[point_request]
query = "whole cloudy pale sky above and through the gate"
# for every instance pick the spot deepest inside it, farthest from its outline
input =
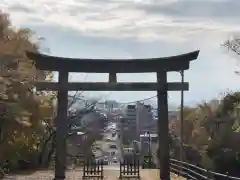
(139, 28)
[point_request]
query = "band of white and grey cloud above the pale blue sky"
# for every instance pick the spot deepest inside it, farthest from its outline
(170, 20)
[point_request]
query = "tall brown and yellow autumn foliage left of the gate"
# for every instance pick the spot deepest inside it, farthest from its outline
(21, 109)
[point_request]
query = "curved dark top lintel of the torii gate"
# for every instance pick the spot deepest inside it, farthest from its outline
(53, 63)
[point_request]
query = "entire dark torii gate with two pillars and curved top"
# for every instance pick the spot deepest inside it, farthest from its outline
(112, 66)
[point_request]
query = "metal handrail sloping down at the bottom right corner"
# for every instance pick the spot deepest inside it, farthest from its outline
(191, 171)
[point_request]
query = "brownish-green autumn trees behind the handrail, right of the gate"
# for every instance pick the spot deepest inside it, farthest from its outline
(211, 136)
